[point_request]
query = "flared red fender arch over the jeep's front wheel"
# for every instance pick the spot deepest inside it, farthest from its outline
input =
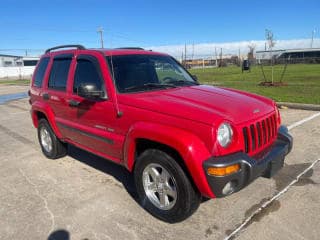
(185, 147)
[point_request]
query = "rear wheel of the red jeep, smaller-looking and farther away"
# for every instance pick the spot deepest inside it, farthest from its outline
(51, 146)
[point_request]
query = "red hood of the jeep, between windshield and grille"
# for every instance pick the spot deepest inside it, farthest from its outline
(202, 103)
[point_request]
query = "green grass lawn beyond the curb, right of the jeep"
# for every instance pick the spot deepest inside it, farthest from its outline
(303, 81)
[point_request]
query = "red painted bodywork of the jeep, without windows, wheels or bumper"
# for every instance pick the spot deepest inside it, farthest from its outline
(184, 118)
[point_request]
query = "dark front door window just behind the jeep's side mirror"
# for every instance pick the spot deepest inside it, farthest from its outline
(87, 73)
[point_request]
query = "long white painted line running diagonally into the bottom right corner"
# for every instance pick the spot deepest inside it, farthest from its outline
(272, 202)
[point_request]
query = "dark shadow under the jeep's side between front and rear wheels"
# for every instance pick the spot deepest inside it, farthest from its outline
(106, 166)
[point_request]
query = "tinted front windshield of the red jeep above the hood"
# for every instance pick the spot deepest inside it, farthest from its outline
(136, 73)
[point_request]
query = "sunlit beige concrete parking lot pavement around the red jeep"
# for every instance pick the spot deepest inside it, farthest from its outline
(86, 197)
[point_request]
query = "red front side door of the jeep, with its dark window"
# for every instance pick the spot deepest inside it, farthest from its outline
(93, 120)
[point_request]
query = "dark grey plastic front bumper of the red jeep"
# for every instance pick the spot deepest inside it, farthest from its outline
(265, 165)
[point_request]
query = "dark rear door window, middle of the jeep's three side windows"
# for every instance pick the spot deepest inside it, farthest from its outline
(59, 73)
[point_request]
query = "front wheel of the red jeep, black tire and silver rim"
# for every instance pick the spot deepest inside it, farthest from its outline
(163, 187)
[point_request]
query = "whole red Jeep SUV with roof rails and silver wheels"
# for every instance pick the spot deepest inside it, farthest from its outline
(143, 110)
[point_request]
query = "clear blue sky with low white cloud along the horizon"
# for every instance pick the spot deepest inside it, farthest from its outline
(165, 25)
